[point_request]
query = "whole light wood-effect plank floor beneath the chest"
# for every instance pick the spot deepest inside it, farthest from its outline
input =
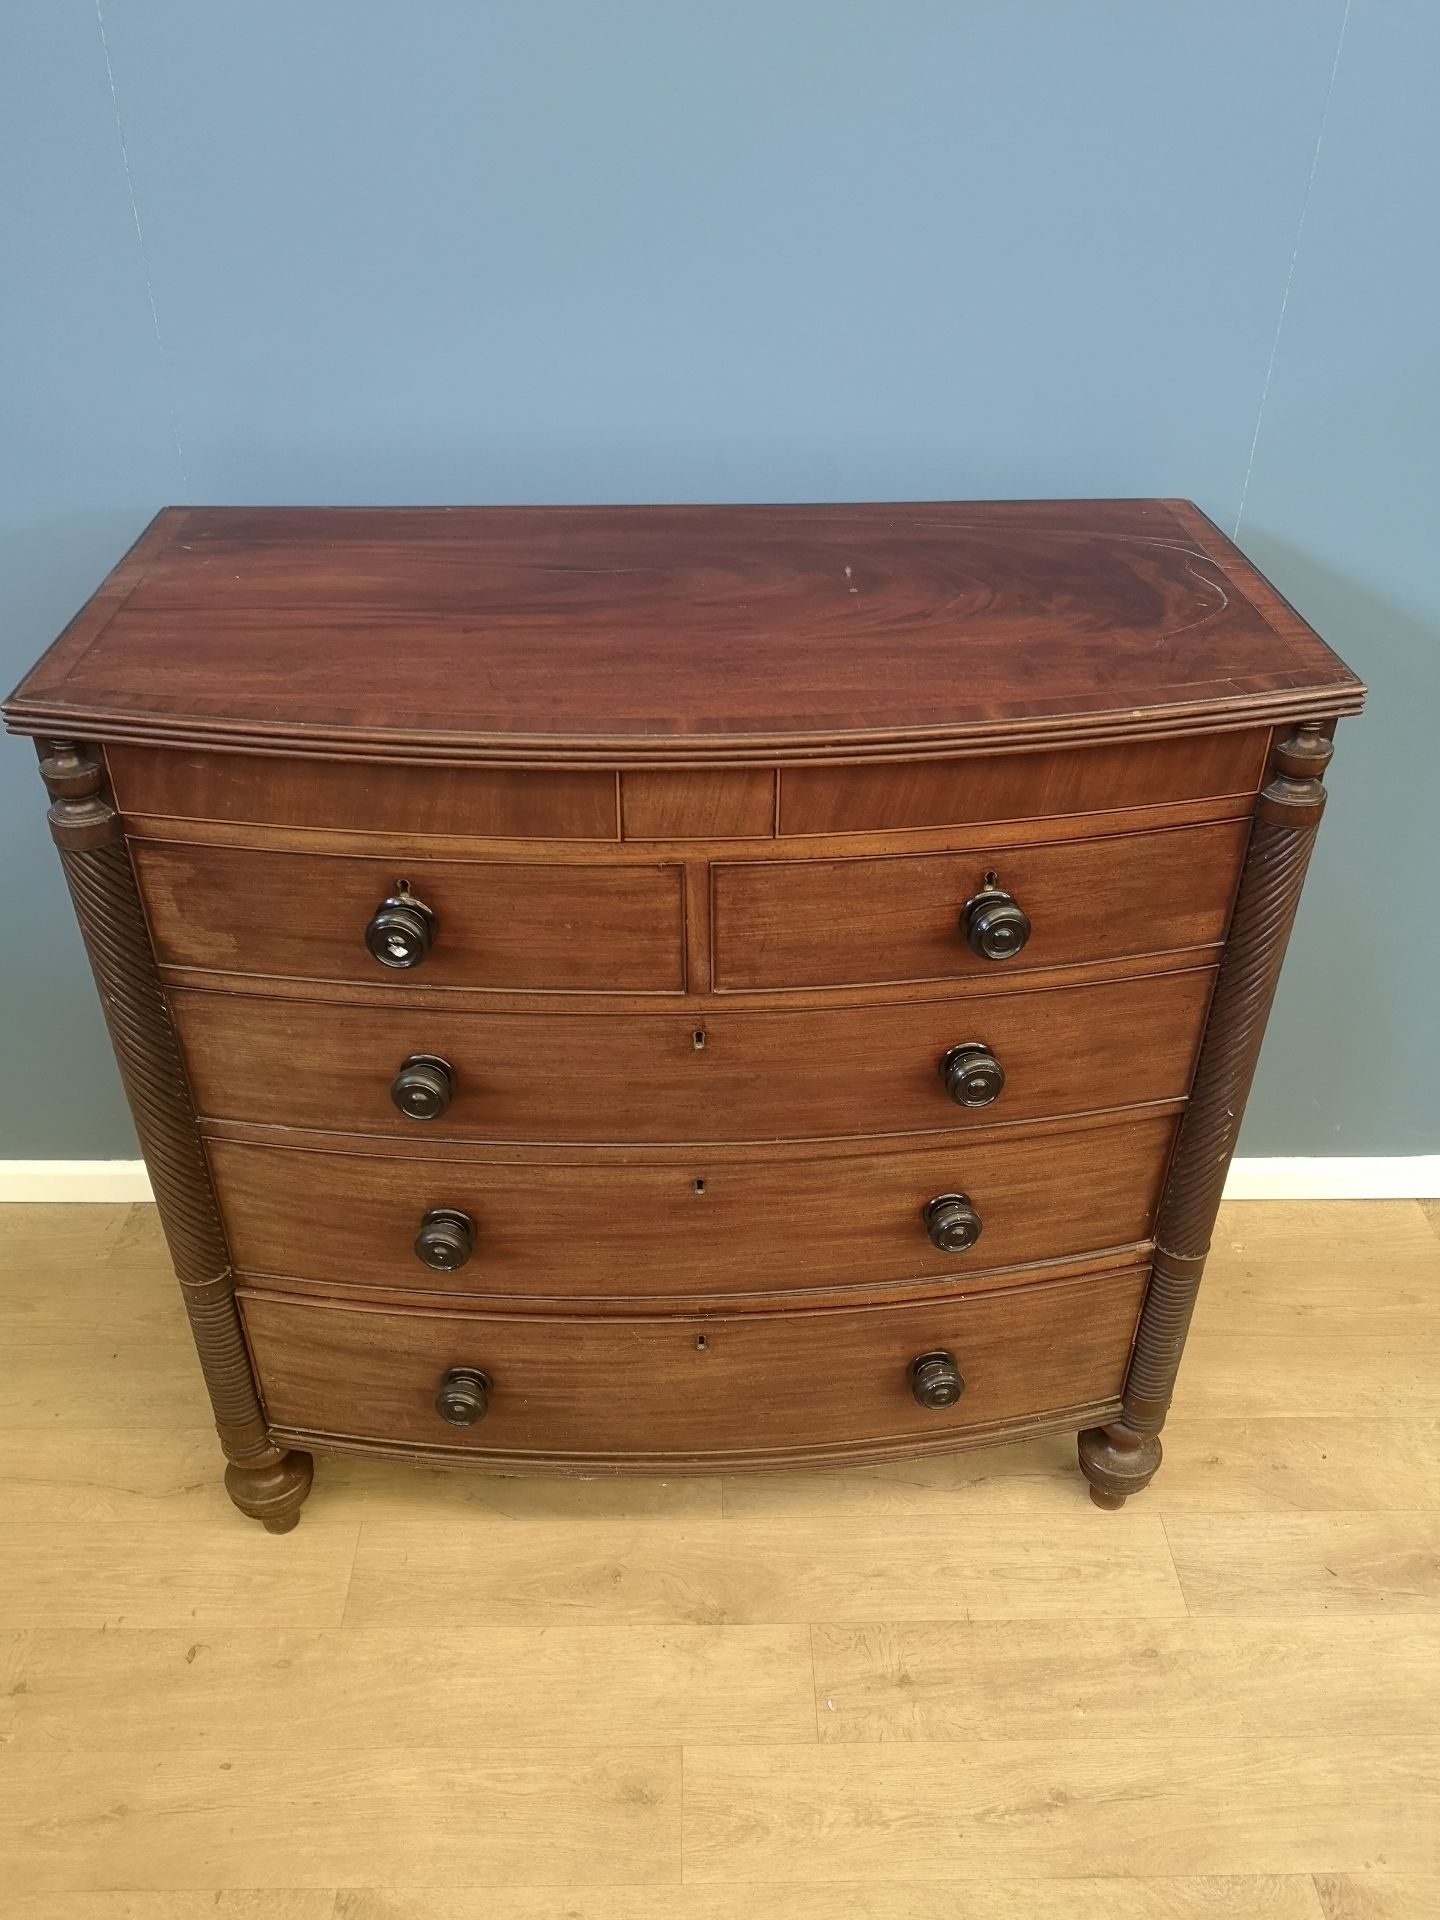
(946, 1691)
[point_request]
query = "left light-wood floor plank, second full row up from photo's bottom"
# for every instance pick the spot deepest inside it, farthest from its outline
(356, 1689)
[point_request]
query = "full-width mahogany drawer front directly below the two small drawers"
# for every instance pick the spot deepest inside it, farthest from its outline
(756, 1076)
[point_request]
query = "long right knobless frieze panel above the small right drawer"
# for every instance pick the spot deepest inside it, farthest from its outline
(1019, 786)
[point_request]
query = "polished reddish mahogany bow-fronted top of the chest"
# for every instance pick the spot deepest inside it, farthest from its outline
(679, 635)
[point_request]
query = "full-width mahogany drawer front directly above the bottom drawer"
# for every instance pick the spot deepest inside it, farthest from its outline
(744, 1226)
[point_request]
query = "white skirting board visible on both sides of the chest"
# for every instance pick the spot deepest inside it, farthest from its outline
(1380, 1178)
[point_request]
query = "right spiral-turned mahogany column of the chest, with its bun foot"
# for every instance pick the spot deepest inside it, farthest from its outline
(1122, 1458)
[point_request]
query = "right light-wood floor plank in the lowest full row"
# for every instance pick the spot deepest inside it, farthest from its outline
(1061, 1810)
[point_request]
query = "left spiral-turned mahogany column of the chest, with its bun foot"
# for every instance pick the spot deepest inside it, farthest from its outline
(266, 1483)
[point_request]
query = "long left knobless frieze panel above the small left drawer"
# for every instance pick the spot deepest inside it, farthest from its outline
(254, 790)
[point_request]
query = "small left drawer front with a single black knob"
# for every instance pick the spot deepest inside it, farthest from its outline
(498, 924)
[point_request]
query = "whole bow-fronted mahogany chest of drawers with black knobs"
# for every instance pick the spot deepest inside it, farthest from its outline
(650, 990)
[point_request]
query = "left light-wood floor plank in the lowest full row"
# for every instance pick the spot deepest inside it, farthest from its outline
(444, 1815)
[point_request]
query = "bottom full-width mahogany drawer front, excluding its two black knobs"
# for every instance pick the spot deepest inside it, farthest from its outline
(587, 1391)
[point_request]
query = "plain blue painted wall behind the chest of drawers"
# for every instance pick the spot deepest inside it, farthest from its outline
(525, 251)
